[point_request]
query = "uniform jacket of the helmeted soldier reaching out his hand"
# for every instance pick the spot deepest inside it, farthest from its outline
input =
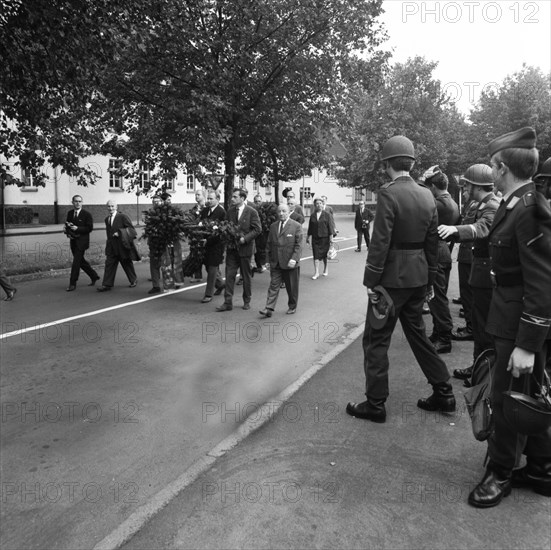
(475, 235)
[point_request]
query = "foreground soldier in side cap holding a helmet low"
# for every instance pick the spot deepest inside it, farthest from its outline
(519, 317)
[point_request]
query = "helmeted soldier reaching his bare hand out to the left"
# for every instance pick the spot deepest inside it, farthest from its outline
(480, 184)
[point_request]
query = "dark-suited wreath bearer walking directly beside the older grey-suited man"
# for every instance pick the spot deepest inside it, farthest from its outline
(238, 255)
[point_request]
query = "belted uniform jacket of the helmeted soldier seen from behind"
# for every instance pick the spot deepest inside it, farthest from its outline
(404, 244)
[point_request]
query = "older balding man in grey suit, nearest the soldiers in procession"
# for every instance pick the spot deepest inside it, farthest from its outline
(284, 249)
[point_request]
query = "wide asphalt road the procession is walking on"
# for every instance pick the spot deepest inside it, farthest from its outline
(107, 398)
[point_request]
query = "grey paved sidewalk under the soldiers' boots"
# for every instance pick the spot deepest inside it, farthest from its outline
(313, 477)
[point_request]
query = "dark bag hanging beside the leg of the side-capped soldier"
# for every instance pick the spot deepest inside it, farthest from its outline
(477, 398)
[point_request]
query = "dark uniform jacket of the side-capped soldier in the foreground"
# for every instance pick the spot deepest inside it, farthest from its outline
(520, 253)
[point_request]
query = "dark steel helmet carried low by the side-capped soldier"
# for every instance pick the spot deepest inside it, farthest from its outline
(528, 415)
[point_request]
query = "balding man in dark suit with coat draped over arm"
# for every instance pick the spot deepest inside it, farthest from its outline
(120, 247)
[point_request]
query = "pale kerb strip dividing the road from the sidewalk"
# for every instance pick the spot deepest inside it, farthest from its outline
(137, 520)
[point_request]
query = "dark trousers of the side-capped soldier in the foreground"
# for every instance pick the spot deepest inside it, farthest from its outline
(505, 445)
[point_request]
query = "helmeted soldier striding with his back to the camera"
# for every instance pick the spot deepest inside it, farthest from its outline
(402, 259)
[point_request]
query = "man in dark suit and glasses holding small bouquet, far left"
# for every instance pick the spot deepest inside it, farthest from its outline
(78, 227)
